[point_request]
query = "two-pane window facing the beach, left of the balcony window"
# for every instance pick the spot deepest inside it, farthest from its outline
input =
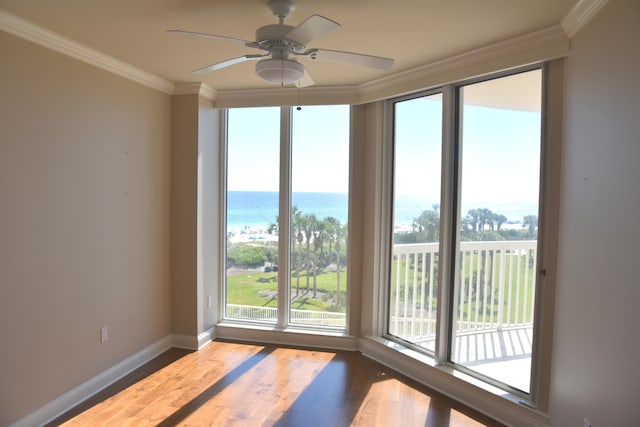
(287, 210)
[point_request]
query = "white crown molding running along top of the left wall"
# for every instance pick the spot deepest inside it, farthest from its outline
(19, 27)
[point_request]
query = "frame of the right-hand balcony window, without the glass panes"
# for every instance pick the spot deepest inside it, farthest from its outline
(450, 235)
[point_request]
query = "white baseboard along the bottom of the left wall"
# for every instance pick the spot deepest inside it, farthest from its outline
(62, 404)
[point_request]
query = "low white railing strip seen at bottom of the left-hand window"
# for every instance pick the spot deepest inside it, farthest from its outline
(270, 314)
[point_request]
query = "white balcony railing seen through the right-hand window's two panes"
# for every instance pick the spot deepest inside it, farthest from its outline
(494, 288)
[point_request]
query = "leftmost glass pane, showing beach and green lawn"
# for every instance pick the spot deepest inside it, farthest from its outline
(253, 183)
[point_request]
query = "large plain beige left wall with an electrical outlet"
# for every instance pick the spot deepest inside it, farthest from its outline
(84, 223)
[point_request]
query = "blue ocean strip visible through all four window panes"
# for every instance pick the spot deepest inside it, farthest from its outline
(255, 210)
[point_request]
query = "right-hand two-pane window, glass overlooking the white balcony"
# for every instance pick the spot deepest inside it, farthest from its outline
(473, 308)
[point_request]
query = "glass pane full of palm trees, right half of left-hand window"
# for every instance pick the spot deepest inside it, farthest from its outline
(319, 213)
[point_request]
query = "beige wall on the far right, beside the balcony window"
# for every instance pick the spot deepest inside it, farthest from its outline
(596, 372)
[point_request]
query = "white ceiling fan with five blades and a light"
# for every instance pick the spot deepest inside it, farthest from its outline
(283, 43)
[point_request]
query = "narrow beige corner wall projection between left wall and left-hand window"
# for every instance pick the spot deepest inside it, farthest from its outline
(195, 151)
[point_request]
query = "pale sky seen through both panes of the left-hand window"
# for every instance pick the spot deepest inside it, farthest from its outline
(320, 153)
